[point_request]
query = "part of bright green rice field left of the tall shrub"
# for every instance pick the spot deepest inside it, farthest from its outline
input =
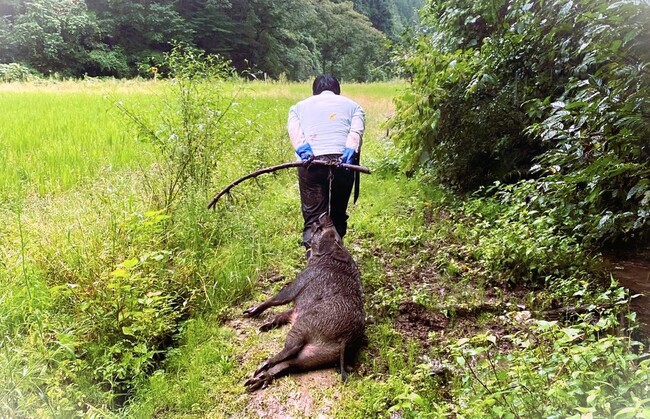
(56, 137)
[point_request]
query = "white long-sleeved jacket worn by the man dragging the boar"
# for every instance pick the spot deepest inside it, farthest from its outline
(328, 122)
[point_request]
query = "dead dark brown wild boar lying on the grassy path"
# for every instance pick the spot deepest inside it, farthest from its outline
(327, 317)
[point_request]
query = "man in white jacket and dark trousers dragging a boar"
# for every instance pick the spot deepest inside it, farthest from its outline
(330, 127)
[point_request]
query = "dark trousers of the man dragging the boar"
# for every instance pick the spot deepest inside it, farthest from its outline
(315, 195)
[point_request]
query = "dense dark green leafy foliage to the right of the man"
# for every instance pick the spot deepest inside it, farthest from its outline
(556, 91)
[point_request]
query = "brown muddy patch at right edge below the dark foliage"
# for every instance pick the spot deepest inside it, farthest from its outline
(633, 272)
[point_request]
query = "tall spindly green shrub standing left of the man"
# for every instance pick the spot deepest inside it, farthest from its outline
(188, 128)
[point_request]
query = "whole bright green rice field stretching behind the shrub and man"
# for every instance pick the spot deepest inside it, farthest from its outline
(54, 136)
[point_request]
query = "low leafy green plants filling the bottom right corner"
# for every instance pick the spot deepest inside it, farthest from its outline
(571, 369)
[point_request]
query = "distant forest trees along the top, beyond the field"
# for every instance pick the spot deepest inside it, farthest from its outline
(266, 38)
